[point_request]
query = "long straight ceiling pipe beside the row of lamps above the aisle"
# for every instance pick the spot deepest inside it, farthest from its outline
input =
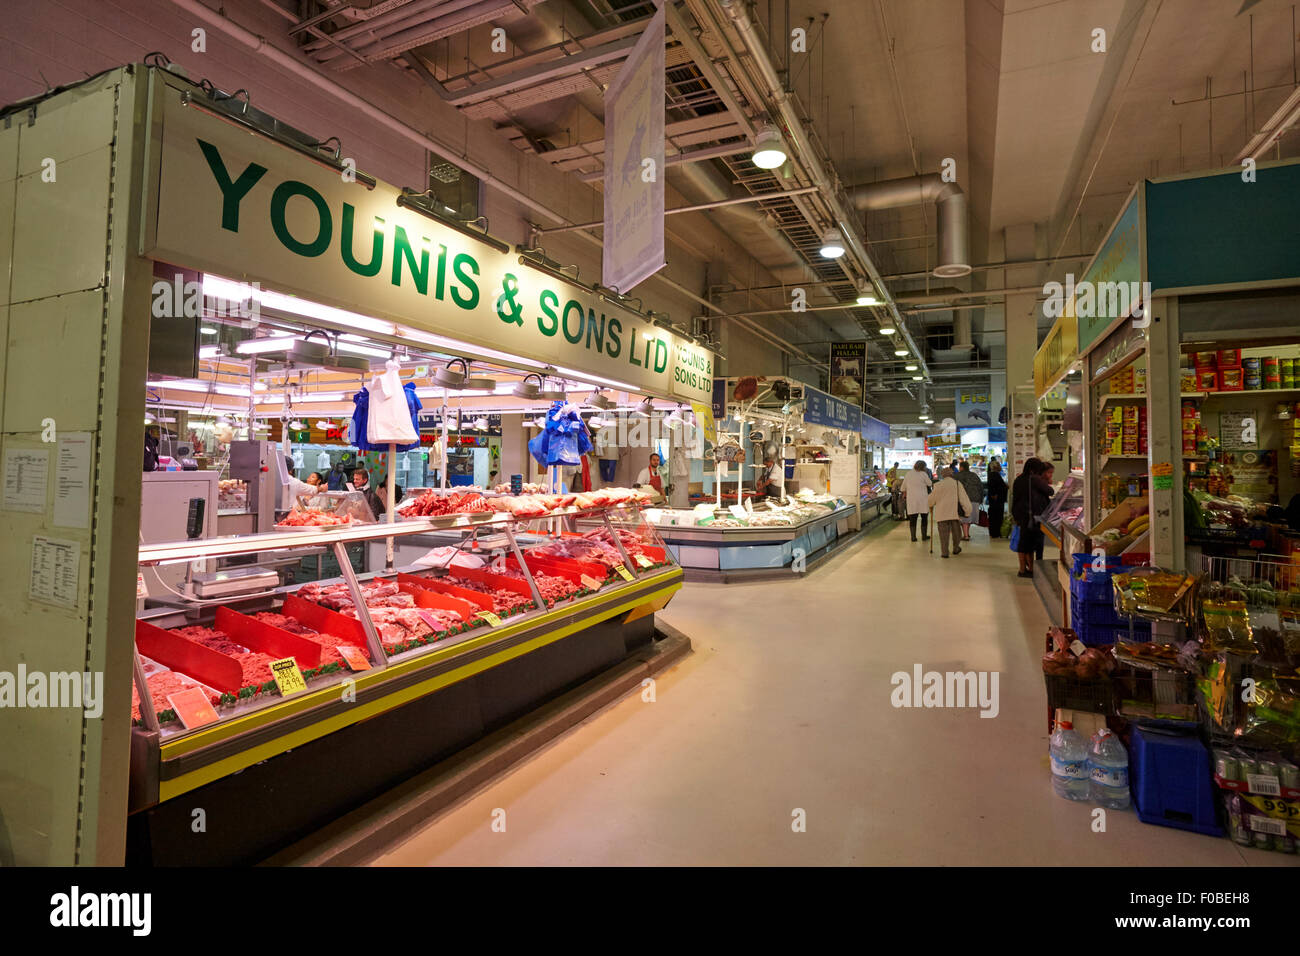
(796, 136)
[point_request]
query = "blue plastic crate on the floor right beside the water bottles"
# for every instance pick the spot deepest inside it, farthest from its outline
(1172, 781)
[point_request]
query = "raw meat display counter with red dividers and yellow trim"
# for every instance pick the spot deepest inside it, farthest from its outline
(287, 707)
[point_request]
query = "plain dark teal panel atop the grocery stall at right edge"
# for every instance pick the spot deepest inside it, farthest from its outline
(1221, 231)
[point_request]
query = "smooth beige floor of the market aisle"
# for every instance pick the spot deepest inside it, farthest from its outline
(785, 704)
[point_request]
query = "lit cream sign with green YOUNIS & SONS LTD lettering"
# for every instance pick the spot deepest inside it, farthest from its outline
(249, 209)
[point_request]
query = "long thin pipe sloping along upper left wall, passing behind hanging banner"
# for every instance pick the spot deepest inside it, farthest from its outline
(263, 47)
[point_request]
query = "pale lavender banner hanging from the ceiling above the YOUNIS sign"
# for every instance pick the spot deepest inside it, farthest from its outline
(634, 166)
